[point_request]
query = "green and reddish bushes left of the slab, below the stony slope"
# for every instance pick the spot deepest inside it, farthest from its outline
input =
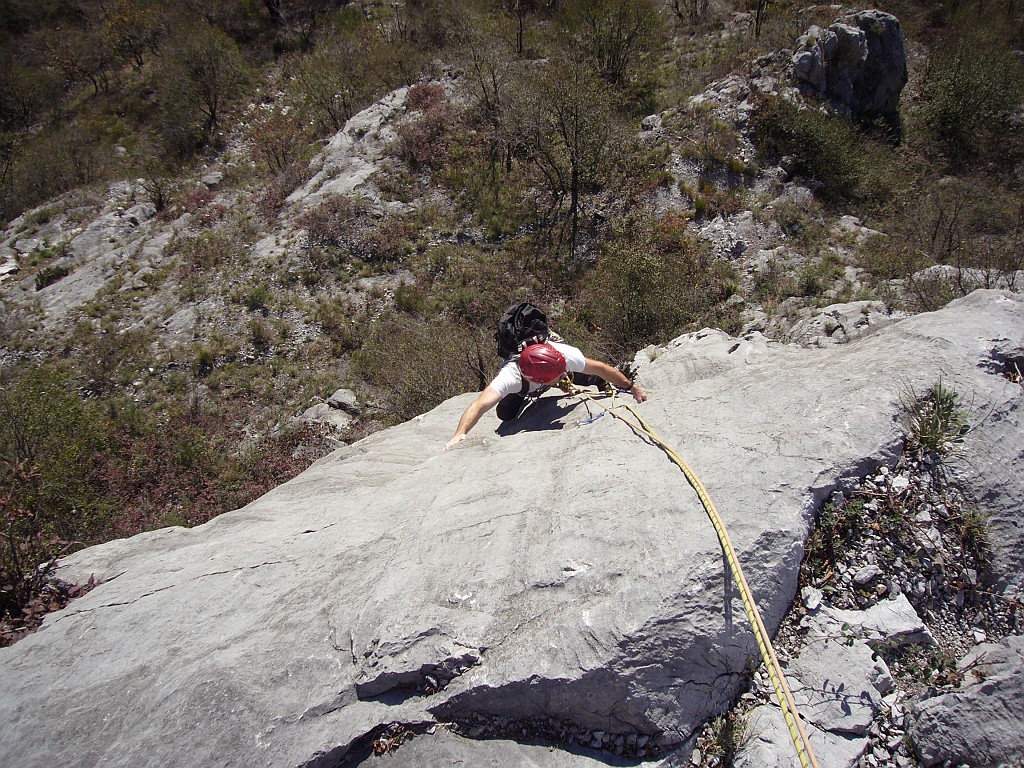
(76, 473)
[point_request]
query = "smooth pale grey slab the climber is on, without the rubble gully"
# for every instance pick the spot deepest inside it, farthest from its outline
(557, 577)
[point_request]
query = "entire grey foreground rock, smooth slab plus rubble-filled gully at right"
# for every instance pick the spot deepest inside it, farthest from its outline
(559, 583)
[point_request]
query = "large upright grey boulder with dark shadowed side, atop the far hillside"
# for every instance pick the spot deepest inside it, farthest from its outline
(859, 64)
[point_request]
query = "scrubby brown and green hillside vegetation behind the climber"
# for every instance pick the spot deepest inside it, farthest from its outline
(519, 172)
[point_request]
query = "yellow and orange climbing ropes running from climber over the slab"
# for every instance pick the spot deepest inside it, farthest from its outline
(783, 693)
